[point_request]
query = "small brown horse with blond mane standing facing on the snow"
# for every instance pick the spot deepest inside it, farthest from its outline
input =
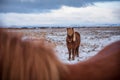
(73, 43)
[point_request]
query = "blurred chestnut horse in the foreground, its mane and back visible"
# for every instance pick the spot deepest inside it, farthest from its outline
(31, 60)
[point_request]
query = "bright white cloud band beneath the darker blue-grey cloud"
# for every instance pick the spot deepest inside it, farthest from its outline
(99, 13)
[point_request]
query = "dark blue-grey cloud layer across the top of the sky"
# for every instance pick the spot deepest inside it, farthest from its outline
(29, 6)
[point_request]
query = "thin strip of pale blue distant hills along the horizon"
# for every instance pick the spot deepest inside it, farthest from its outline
(62, 26)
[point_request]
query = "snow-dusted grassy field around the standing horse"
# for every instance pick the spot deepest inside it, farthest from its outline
(92, 40)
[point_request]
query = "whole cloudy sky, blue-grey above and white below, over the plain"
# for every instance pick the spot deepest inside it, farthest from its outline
(59, 12)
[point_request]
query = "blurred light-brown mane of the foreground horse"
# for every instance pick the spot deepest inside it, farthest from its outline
(27, 60)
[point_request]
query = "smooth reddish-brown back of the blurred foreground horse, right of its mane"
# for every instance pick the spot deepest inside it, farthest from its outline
(104, 66)
